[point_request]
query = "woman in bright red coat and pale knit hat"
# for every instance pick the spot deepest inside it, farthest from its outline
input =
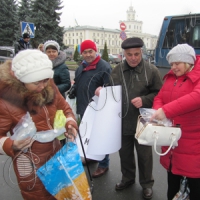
(179, 100)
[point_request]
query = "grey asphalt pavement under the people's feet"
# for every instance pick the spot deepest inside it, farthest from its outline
(103, 186)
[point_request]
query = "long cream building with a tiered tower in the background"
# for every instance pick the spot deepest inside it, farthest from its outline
(75, 35)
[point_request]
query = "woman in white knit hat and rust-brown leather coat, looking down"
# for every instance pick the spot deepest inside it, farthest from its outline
(26, 85)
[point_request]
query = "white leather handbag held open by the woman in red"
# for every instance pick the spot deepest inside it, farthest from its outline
(153, 134)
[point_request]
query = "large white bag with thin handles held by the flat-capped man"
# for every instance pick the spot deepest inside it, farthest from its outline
(100, 127)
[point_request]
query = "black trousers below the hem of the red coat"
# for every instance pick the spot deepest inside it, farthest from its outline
(174, 186)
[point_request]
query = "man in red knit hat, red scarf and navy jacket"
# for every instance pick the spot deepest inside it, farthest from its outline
(92, 73)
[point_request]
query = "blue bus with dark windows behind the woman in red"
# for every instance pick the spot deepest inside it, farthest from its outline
(177, 30)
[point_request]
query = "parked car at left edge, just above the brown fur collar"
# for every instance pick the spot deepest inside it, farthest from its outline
(6, 53)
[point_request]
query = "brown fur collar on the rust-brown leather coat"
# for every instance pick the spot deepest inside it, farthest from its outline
(14, 91)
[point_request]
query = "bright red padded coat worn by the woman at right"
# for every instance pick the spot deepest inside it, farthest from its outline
(180, 100)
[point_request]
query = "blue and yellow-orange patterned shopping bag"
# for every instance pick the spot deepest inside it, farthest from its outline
(63, 175)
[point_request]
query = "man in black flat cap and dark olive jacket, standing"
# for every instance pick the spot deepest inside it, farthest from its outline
(140, 82)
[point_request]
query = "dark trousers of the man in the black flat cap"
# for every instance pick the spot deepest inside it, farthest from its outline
(145, 161)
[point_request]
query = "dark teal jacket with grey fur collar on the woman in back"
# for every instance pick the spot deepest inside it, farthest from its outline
(61, 73)
